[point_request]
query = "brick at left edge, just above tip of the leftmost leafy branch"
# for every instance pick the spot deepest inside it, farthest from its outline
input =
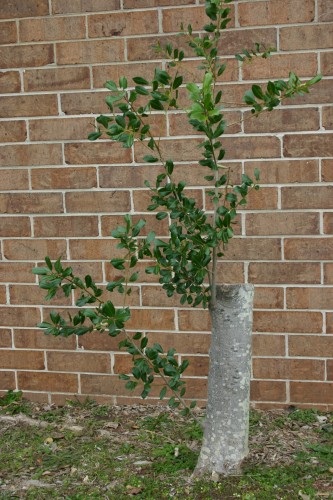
(33, 249)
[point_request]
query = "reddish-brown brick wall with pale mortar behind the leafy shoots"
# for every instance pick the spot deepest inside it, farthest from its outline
(61, 195)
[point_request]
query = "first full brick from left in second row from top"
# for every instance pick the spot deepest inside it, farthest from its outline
(52, 28)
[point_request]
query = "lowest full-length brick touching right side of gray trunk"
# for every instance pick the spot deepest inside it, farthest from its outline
(292, 369)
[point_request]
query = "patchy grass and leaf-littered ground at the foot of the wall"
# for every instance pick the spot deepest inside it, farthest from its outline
(87, 450)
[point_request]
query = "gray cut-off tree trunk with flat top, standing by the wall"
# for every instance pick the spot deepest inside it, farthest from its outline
(225, 442)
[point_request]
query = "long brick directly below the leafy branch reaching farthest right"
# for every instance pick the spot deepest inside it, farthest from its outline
(283, 120)
